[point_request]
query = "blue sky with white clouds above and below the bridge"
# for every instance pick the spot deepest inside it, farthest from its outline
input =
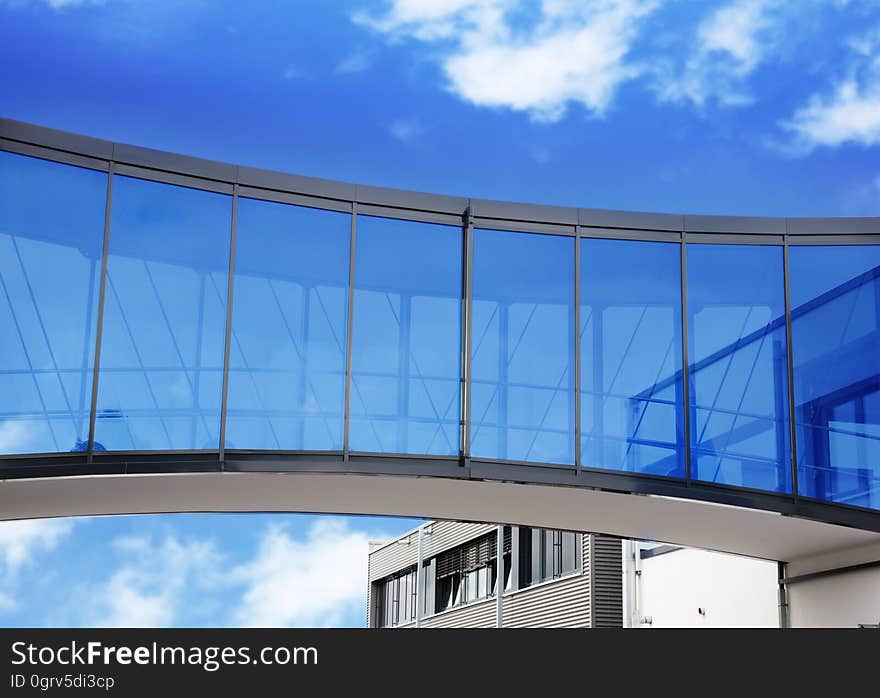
(760, 107)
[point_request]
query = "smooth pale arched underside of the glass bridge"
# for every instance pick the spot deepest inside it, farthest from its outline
(670, 519)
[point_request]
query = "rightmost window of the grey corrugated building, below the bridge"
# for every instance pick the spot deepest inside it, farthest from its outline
(546, 554)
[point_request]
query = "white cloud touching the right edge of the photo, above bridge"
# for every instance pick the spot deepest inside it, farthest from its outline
(848, 113)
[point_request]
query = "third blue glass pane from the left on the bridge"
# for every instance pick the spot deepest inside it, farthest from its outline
(287, 349)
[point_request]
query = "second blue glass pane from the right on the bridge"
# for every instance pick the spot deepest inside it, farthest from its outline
(740, 432)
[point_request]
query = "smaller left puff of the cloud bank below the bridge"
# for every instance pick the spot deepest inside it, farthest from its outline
(149, 588)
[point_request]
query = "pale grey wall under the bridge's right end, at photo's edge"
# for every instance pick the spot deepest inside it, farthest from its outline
(840, 600)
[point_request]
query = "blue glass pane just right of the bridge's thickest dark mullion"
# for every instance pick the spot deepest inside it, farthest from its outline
(522, 394)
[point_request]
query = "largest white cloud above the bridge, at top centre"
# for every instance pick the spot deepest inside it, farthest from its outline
(576, 51)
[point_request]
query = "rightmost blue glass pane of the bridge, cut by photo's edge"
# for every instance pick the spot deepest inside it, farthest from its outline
(835, 327)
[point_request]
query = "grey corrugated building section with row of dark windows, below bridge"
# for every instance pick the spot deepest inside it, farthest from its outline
(551, 578)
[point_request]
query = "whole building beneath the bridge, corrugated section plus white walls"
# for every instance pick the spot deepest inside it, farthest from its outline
(565, 579)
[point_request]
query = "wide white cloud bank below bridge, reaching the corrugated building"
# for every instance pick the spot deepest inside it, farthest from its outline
(316, 580)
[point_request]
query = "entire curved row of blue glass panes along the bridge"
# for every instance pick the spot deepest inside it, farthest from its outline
(137, 305)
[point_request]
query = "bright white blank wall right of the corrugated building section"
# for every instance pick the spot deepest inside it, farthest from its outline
(732, 591)
